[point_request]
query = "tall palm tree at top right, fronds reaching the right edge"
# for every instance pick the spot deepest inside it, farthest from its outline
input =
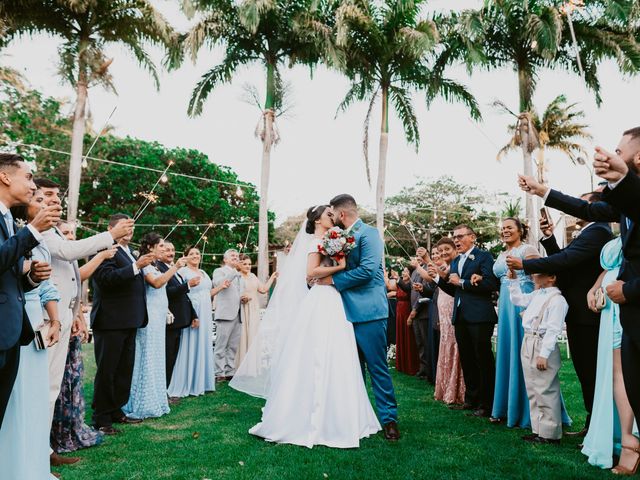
(532, 35)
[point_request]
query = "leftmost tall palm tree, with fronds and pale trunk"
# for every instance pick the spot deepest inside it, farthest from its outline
(87, 28)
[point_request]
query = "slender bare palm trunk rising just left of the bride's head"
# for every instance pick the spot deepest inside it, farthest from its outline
(267, 144)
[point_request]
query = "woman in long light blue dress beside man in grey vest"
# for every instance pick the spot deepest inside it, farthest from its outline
(194, 372)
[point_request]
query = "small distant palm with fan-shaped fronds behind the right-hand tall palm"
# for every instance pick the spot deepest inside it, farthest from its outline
(560, 128)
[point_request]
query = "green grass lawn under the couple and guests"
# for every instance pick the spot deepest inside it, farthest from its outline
(206, 438)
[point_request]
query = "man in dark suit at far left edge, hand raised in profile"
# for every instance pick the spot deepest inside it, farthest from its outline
(17, 188)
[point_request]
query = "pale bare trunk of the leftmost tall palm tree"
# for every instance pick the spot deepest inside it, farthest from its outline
(77, 143)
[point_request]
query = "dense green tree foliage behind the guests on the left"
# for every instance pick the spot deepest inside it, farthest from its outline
(32, 118)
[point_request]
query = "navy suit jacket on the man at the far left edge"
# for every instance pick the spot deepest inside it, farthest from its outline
(14, 323)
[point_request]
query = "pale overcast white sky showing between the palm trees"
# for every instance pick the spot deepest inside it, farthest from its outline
(319, 155)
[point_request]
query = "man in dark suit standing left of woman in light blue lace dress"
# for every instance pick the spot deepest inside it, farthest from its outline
(119, 309)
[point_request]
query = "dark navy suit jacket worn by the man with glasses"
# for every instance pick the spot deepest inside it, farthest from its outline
(473, 302)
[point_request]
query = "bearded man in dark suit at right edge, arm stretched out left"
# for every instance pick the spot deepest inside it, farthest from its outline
(614, 208)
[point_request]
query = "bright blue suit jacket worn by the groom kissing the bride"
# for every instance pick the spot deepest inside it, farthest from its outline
(361, 284)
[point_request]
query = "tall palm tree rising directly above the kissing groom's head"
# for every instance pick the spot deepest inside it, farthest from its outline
(386, 45)
